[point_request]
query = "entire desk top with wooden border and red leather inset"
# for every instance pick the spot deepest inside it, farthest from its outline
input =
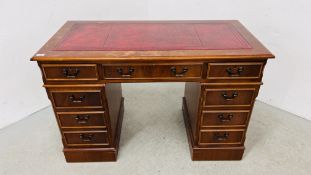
(151, 41)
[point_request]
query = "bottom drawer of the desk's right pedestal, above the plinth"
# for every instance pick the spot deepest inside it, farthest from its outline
(215, 137)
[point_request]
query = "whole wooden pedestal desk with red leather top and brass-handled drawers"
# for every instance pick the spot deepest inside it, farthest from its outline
(85, 62)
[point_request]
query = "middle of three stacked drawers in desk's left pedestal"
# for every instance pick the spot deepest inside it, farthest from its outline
(94, 119)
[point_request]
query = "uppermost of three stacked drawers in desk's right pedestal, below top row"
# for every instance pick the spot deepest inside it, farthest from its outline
(229, 97)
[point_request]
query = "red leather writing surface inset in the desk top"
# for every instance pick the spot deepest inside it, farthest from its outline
(151, 36)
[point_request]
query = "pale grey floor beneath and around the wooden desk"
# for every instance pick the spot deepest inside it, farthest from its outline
(153, 141)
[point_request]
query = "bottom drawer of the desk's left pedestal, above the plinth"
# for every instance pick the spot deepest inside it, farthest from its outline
(80, 138)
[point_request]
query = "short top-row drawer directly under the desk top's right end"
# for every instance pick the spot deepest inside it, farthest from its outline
(234, 70)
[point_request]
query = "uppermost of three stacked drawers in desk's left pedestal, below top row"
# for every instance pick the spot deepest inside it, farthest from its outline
(76, 99)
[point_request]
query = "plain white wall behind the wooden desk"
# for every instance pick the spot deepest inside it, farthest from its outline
(283, 26)
